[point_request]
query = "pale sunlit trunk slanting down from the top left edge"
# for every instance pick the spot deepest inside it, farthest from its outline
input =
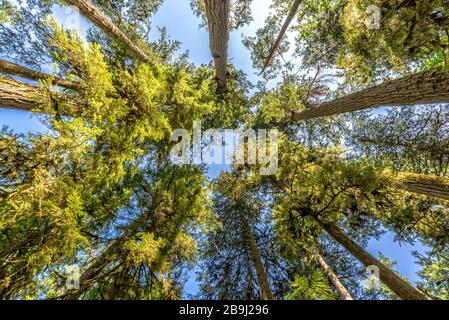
(94, 15)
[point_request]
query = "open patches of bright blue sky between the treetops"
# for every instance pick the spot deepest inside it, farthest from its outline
(182, 25)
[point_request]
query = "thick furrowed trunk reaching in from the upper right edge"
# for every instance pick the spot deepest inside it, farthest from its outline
(422, 88)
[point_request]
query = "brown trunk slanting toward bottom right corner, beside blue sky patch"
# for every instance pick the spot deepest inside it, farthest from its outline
(401, 288)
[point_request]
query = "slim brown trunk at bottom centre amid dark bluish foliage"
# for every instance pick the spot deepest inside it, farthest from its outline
(257, 259)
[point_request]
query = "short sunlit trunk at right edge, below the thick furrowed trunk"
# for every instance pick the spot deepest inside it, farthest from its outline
(428, 185)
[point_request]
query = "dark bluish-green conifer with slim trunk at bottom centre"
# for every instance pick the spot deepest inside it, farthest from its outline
(240, 249)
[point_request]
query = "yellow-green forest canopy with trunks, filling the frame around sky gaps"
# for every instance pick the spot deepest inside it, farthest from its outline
(94, 207)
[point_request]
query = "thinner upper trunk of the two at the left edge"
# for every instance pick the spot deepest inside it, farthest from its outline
(14, 69)
